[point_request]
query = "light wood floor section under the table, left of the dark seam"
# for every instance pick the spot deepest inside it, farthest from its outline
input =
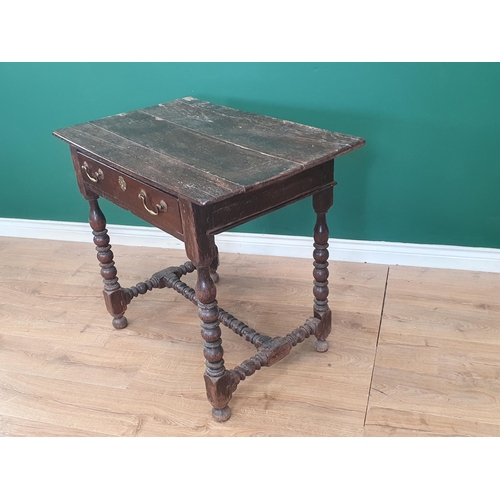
(65, 371)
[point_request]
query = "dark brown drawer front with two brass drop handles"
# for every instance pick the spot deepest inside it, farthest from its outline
(148, 203)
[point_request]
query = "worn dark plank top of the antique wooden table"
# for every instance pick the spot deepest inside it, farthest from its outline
(204, 152)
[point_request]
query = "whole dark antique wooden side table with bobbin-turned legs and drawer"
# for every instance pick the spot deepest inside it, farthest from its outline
(194, 169)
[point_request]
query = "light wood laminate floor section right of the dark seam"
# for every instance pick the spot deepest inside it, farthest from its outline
(437, 364)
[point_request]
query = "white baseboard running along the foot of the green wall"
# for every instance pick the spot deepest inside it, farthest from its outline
(375, 252)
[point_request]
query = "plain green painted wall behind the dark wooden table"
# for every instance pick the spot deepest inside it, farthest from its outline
(429, 173)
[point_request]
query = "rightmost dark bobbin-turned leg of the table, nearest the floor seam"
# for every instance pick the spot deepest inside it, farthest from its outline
(321, 202)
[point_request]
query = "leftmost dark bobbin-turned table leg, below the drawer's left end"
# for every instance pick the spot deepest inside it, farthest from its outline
(113, 295)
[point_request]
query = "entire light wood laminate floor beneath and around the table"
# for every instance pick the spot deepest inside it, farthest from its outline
(413, 351)
